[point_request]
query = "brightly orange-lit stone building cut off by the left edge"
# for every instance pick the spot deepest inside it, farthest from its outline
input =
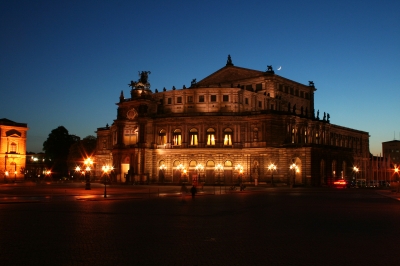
(12, 150)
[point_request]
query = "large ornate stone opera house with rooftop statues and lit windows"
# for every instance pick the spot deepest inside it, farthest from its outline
(241, 119)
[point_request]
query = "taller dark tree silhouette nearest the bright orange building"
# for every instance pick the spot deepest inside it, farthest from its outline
(56, 149)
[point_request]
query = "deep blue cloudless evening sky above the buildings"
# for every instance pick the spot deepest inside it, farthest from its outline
(66, 62)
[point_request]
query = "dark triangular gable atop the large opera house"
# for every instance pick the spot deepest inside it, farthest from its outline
(229, 74)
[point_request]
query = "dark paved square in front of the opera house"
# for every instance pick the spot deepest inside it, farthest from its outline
(272, 226)
